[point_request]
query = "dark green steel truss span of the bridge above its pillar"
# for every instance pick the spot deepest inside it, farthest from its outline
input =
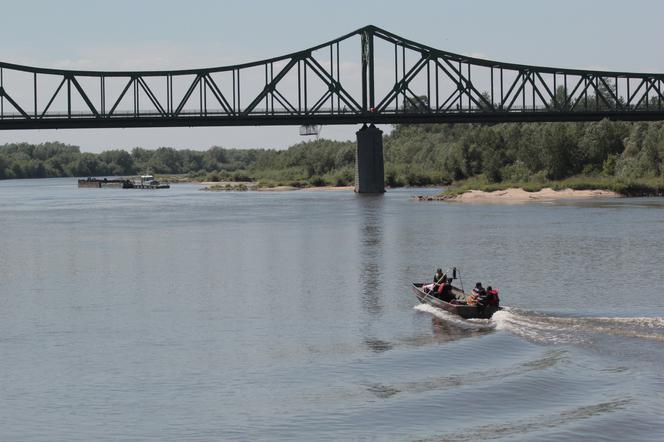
(366, 76)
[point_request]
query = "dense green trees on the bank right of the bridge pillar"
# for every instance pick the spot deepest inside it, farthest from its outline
(525, 152)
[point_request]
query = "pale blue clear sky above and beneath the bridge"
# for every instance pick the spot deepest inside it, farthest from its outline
(165, 34)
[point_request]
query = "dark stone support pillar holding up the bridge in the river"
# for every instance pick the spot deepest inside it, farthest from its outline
(369, 167)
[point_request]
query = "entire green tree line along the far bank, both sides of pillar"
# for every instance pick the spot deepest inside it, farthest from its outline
(414, 155)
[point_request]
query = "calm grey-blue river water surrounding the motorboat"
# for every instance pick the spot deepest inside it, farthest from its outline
(181, 315)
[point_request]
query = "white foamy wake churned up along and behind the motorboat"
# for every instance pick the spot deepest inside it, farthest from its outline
(552, 329)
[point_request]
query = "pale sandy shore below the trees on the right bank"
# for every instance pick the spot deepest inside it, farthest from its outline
(516, 196)
